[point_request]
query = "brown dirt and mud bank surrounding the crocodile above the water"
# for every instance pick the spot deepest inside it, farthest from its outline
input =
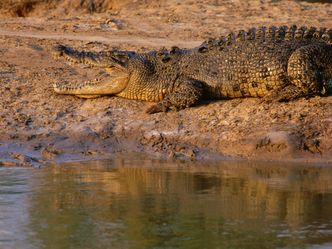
(38, 126)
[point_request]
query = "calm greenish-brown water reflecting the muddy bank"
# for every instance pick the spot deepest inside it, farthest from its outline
(150, 204)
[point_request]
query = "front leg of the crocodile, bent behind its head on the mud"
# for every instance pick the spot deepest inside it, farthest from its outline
(186, 92)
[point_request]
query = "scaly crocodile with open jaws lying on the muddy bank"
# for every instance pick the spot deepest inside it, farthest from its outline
(277, 63)
